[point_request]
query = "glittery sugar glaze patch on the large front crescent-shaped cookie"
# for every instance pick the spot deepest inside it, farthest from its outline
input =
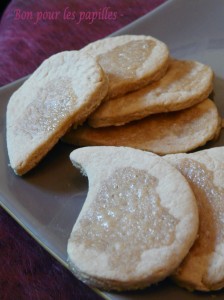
(125, 219)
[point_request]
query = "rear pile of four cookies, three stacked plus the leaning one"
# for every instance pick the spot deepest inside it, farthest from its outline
(120, 91)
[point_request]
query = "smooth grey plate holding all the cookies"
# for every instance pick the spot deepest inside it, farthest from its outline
(47, 201)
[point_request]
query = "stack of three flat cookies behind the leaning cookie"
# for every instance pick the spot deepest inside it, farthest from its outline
(164, 112)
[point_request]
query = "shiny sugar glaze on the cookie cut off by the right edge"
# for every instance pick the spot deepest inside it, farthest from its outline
(210, 203)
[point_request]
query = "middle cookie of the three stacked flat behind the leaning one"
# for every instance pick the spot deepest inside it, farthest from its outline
(186, 83)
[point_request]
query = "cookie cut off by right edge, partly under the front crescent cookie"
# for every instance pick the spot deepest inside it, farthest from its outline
(203, 268)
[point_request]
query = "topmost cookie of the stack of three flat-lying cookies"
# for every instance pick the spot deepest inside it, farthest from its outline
(130, 61)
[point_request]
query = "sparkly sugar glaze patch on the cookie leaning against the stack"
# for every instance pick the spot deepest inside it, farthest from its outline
(45, 114)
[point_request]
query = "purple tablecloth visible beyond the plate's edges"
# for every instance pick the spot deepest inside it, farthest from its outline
(31, 31)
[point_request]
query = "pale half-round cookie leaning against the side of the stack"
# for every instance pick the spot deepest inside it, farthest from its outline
(63, 91)
